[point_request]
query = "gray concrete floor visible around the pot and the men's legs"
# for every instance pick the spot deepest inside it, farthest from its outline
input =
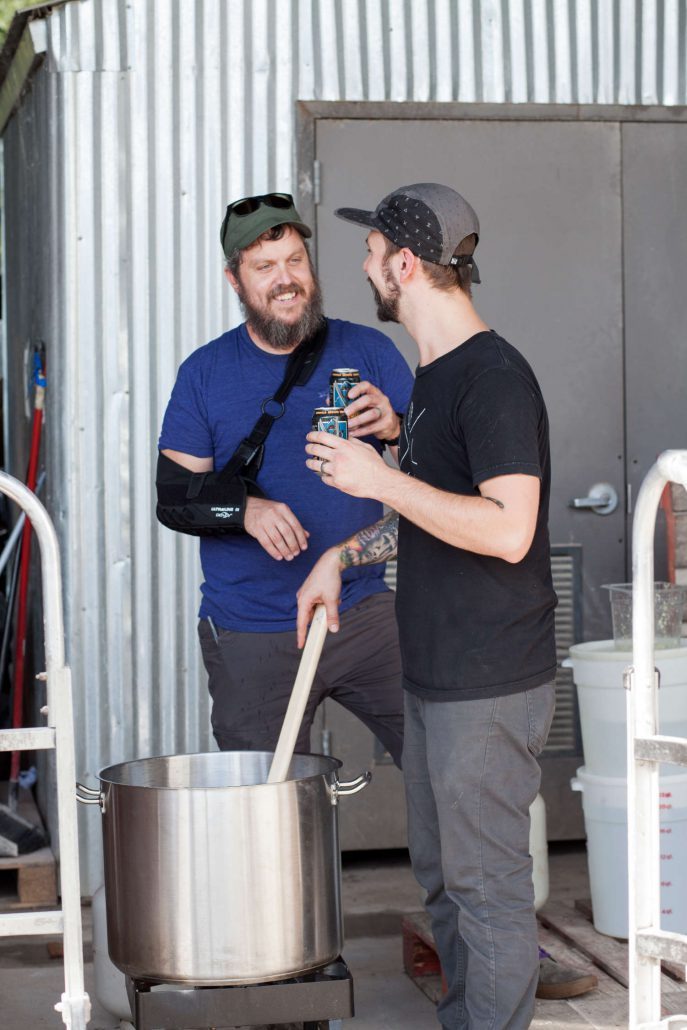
(377, 891)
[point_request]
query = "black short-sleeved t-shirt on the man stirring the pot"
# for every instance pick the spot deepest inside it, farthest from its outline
(474, 627)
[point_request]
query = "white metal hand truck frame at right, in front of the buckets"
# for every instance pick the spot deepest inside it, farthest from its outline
(646, 749)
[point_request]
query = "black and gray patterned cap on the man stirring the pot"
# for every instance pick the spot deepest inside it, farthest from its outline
(429, 219)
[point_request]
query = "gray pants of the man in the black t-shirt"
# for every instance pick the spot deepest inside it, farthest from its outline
(471, 775)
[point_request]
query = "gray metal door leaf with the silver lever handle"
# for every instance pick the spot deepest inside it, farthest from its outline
(548, 198)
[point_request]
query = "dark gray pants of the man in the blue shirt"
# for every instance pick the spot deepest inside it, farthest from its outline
(251, 677)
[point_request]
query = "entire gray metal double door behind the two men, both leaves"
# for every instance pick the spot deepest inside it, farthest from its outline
(579, 246)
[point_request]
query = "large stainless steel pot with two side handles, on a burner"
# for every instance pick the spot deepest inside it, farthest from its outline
(214, 876)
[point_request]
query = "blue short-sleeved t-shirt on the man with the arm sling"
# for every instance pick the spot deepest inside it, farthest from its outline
(215, 404)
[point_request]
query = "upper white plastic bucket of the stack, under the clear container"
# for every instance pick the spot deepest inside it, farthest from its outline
(598, 671)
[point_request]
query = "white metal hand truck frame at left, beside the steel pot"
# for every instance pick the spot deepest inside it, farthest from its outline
(59, 735)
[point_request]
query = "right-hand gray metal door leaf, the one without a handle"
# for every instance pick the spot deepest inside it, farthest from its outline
(655, 159)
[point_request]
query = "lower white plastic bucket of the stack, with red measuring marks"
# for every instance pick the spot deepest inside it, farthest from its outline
(605, 806)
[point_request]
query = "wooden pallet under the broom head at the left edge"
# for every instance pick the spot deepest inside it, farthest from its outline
(28, 881)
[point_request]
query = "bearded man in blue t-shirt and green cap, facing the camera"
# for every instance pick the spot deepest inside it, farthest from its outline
(249, 607)
